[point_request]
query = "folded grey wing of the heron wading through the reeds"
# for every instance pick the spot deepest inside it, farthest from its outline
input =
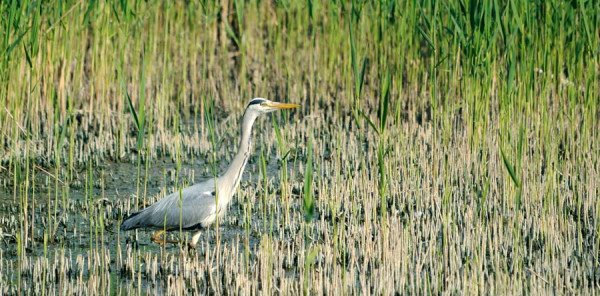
(189, 207)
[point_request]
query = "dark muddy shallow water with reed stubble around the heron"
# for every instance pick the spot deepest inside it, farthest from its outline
(83, 216)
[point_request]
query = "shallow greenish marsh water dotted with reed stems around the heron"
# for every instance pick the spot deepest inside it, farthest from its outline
(81, 229)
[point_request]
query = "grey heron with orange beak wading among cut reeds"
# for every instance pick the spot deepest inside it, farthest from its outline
(196, 207)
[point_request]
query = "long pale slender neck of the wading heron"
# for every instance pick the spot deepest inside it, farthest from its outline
(233, 175)
